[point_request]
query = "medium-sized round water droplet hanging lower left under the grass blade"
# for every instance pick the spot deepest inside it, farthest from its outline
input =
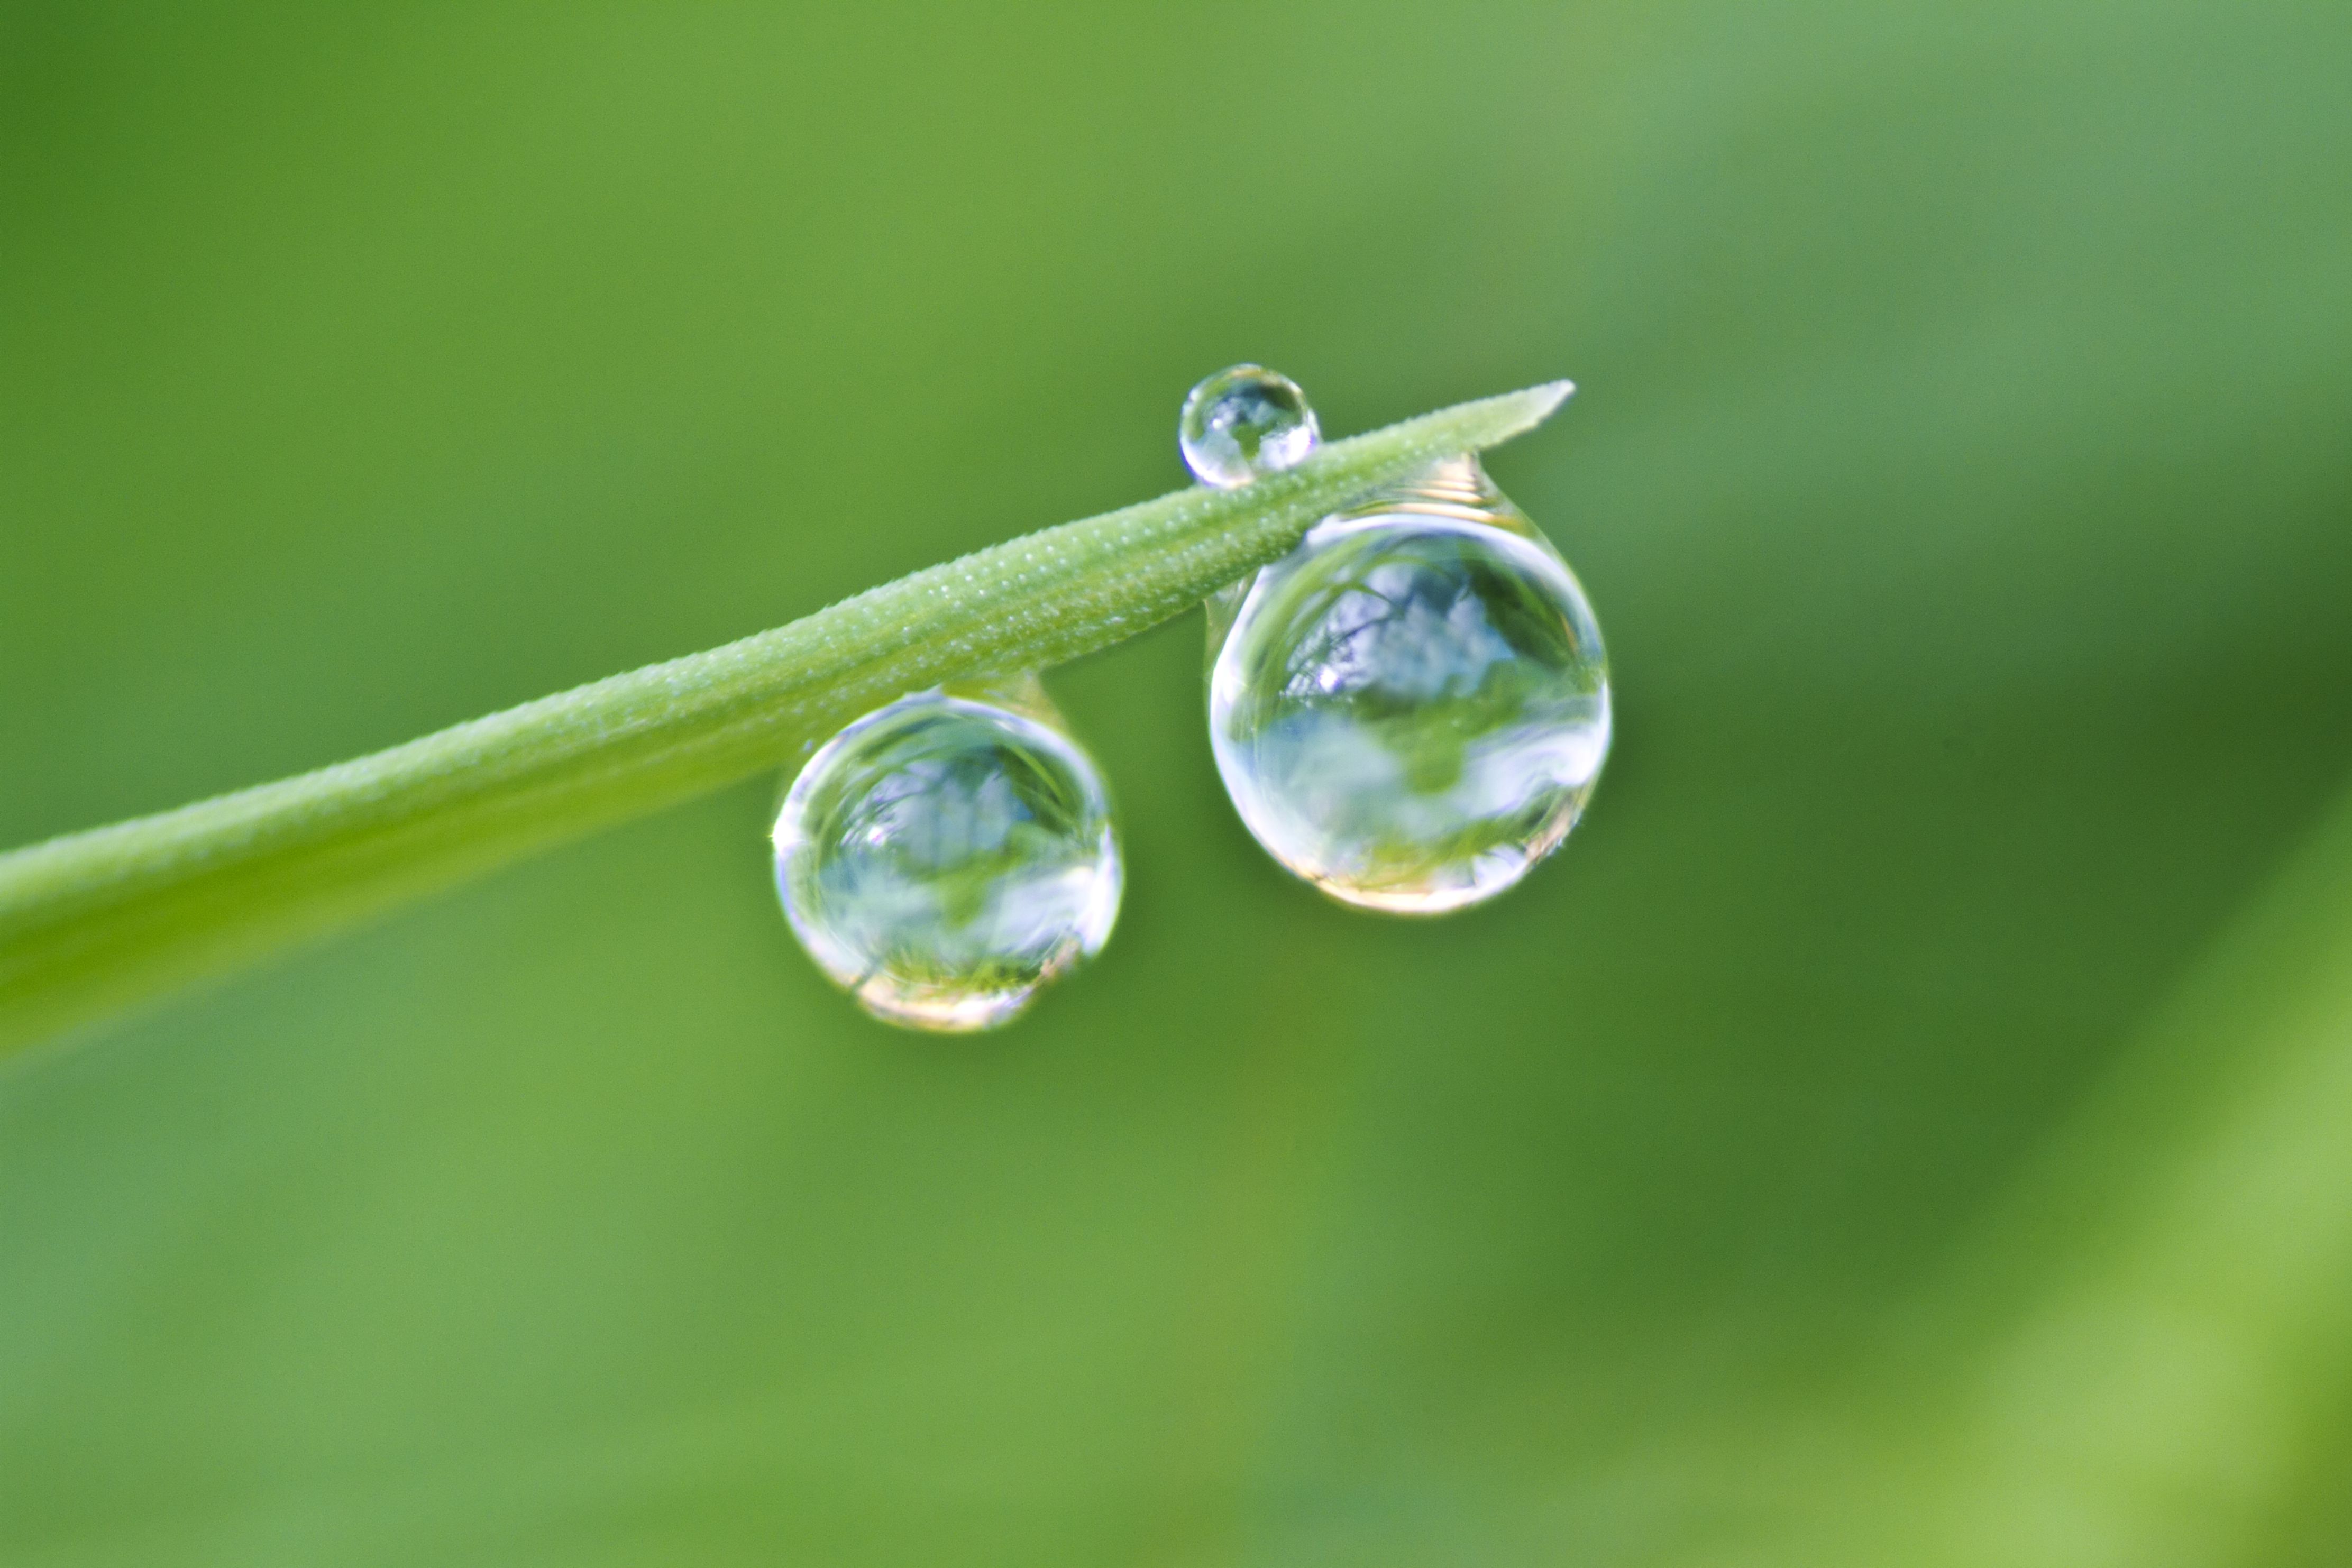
(944, 859)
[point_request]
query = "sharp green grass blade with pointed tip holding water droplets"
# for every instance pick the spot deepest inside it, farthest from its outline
(98, 923)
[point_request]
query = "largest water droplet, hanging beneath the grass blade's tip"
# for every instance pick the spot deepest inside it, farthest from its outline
(1412, 706)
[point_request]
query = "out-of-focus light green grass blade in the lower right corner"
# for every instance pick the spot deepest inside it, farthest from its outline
(2186, 1259)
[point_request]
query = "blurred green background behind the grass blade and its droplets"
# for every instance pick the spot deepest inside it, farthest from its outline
(1909, 1125)
